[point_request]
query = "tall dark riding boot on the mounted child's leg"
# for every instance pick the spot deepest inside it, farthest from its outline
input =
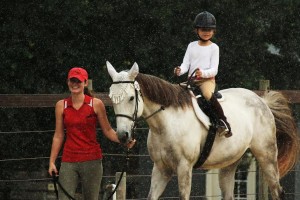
(223, 126)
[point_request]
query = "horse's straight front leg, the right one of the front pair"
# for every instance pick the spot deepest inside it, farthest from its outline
(184, 173)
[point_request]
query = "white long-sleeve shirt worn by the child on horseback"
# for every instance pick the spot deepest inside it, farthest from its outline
(205, 58)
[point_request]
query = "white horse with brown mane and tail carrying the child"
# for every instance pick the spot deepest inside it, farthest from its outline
(176, 136)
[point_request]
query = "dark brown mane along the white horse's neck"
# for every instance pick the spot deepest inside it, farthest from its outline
(162, 92)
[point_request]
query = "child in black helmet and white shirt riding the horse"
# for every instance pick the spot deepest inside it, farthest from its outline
(202, 56)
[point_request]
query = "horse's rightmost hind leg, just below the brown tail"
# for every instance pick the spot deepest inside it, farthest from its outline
(267, 159)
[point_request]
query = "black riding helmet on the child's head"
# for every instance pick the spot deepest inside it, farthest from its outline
(205, 20)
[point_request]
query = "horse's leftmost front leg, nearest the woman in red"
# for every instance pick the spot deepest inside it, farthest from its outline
(159, 181)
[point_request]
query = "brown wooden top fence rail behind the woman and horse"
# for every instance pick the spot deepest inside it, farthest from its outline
(49, 100)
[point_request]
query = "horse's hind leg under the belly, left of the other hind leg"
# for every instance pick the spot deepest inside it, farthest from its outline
(226, 181)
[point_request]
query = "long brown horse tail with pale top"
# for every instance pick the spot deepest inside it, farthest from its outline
(286, 131)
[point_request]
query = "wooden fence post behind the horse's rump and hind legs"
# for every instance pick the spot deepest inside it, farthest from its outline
(264, 85)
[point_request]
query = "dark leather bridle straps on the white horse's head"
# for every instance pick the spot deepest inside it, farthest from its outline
(134, 116)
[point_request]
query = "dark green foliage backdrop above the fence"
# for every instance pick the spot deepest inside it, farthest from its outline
(42, 40)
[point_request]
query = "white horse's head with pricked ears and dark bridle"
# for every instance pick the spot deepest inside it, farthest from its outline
(127, 101)
